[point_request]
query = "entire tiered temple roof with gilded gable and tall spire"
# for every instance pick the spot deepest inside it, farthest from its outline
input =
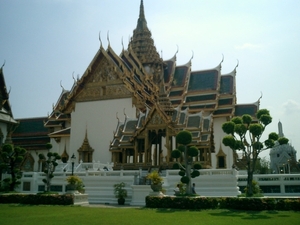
(172, 97)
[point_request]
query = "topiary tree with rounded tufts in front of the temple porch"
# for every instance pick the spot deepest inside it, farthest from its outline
(184, 138)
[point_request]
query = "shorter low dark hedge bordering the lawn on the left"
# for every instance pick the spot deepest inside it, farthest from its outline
(37, 199)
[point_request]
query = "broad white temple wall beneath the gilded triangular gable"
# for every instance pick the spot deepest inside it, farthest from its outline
(98, 118)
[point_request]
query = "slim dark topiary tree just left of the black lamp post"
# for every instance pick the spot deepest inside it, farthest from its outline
(50, 165)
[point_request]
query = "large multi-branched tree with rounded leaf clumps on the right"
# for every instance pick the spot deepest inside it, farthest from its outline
(244, 135)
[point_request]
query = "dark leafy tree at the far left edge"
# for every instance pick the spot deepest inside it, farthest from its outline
(11, 160)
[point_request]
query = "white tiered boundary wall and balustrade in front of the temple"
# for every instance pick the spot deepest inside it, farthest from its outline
(211, 183)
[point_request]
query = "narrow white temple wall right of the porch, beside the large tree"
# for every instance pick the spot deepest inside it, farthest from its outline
(218, 136)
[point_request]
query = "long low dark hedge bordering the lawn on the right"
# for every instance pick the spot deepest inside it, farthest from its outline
(223, 203)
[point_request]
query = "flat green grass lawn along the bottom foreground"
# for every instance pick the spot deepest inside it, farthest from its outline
(72, 215)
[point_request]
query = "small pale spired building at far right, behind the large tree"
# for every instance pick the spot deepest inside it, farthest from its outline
(283, 157)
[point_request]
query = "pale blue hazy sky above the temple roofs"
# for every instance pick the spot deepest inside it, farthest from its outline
(44, 42)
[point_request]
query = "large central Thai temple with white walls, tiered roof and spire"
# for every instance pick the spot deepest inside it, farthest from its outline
(127, 108)
